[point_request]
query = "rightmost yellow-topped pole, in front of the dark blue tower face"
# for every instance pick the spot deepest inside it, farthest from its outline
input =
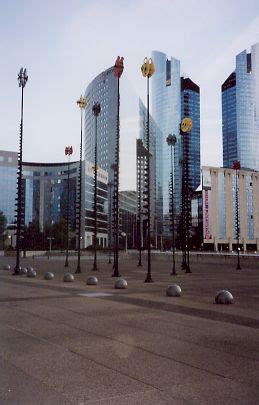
(185, 128)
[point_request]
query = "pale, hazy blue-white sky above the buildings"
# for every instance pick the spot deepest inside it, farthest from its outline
(64, 44)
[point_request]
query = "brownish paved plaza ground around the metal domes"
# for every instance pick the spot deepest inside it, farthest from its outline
(134, 346)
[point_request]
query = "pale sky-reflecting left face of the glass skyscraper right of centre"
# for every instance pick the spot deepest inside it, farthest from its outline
(166, 112)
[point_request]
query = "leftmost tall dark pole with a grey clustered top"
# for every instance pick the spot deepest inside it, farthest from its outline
(22, 80)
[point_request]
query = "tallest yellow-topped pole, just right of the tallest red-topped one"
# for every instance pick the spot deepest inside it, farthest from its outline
(148, 70)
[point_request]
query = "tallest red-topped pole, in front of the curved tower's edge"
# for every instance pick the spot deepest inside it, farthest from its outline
(117, 71)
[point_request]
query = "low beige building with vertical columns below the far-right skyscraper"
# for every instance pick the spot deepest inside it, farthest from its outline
(219, 208)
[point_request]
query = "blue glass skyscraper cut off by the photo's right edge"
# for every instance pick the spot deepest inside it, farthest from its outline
(240, 112)
